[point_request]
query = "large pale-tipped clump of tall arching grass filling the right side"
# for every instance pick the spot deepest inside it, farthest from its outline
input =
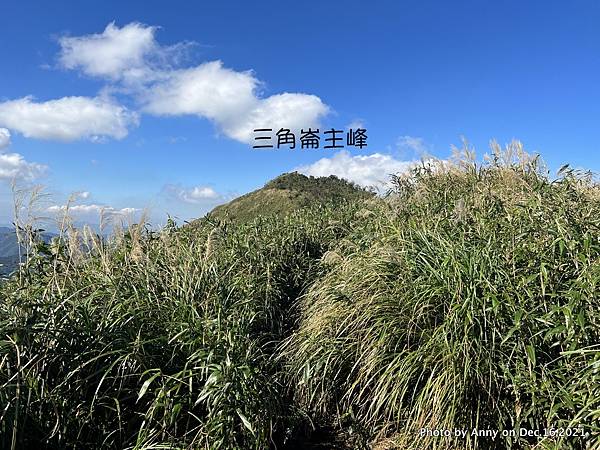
(470, 302)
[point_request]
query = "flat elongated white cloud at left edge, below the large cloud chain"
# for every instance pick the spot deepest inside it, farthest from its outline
(68, 118)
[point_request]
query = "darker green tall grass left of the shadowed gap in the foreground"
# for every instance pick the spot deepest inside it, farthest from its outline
(156, 340)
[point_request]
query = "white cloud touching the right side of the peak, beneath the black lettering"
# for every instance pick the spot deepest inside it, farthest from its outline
(366, 170)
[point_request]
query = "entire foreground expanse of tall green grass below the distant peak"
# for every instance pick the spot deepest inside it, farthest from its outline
(466, 300)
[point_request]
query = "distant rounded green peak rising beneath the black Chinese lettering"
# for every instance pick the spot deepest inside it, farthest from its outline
(290, 192)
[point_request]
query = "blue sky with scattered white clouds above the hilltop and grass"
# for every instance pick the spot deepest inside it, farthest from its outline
(150, 106)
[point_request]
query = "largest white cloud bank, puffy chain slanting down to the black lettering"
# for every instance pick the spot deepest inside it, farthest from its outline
(131, 57)
